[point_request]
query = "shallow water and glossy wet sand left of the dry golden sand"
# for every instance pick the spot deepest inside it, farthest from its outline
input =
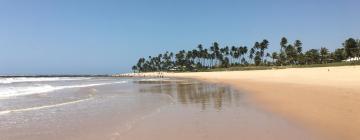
(129, 109)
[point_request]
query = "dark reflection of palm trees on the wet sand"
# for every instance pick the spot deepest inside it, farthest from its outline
(193, 92)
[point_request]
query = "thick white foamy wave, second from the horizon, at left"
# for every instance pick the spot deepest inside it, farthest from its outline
(7, 92)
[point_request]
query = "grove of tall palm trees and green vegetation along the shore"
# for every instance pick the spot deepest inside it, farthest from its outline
(216, 58)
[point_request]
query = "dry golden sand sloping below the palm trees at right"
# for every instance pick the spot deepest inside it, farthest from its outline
(326, 100)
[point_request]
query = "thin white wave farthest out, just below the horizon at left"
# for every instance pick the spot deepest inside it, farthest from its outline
(38, 79)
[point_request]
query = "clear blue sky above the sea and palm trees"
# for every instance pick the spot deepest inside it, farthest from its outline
(108, 36)
